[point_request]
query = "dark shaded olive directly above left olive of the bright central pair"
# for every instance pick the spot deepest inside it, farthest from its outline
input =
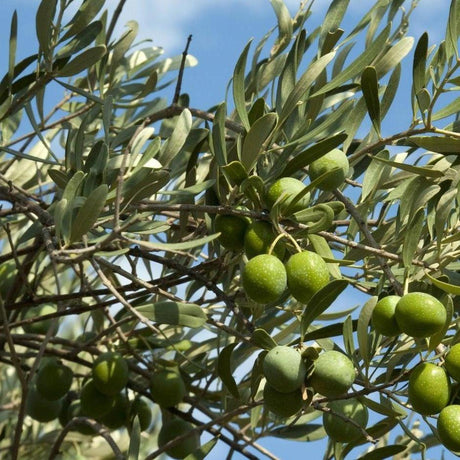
(258, 238)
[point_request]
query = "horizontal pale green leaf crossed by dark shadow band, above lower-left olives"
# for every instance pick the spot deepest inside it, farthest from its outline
(174, 313)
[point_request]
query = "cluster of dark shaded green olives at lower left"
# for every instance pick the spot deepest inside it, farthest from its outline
(102, 397)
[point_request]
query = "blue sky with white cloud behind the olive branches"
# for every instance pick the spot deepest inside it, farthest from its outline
(220, 29)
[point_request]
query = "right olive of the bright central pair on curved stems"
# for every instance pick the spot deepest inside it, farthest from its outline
(307, 273)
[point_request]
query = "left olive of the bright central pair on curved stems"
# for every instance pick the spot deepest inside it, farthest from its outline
(264, 278)
